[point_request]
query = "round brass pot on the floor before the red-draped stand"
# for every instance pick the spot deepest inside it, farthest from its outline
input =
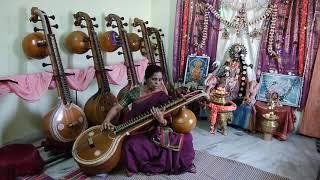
(269, 123)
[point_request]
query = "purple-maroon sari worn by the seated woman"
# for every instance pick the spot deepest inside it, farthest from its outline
(142, 154)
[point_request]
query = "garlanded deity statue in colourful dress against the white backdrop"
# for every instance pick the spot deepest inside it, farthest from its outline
(233, 77)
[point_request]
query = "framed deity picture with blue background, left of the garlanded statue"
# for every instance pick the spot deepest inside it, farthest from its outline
(196, 70)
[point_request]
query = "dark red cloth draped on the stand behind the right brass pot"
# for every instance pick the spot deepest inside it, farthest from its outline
(286, 119)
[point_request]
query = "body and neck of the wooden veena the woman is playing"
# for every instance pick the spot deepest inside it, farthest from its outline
(99, 152)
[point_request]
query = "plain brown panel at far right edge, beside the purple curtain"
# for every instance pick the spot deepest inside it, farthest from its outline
(310, 125)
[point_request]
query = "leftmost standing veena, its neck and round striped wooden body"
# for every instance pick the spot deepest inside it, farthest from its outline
(67, 120)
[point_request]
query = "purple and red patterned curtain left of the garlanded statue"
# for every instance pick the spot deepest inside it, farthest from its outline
(188, 32)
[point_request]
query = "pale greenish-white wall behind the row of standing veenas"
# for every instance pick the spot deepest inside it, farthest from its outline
(21, 118)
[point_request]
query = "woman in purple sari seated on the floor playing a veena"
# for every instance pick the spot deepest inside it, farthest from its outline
(155, 149)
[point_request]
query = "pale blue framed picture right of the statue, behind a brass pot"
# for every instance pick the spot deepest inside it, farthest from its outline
(287, 87)
